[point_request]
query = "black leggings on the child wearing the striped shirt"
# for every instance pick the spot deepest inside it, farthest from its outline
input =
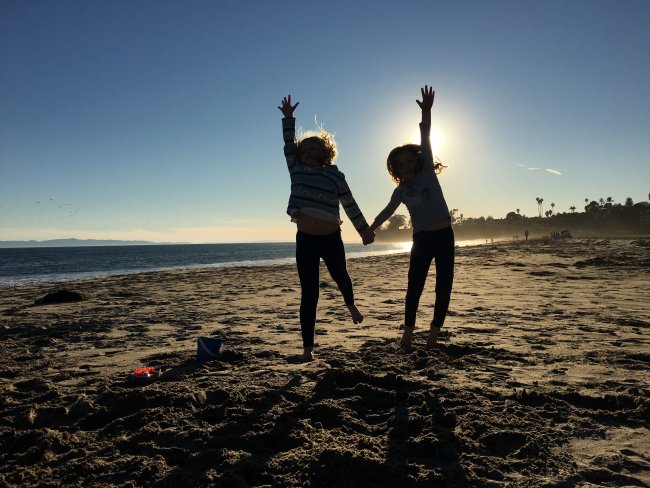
(309, 250)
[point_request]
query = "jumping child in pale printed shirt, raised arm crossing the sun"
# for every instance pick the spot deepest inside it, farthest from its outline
(415, 171)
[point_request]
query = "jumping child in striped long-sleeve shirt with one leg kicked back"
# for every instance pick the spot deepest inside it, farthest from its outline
(317, 188)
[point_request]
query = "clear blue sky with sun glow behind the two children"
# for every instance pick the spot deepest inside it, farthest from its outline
(157, 120)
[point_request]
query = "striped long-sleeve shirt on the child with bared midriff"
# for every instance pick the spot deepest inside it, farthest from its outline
(318, 189)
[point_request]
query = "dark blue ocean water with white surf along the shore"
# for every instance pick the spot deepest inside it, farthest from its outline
(20, 266)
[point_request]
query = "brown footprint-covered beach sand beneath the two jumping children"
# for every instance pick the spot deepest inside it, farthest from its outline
(540, 378)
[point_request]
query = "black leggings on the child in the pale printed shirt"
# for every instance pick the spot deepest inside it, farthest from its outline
(427, 246)
